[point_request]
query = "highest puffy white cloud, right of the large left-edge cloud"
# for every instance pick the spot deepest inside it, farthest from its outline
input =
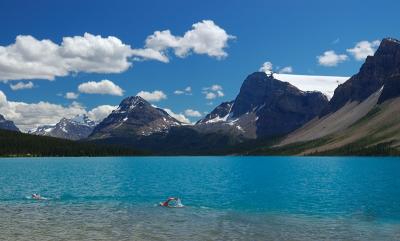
(204, 38)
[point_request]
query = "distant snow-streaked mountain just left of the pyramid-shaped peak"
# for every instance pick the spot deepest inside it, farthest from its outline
(76, 128)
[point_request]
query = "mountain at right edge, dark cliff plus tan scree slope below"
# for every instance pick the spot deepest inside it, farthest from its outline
(364, 111)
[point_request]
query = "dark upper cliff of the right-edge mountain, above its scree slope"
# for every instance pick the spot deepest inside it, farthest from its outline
(372, 76)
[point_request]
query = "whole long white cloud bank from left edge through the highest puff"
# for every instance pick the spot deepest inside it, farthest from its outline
(31, 58)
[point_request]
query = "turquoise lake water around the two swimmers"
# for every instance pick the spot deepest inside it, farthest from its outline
(225, 198)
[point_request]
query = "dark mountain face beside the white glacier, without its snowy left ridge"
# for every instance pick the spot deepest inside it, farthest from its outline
(279, 106)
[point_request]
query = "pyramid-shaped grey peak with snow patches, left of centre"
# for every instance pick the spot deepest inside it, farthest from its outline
(134, 117)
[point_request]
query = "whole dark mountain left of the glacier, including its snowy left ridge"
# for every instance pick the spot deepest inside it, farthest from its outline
(267, 107)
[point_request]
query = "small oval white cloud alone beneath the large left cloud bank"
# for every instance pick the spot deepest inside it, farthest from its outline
(105, 87)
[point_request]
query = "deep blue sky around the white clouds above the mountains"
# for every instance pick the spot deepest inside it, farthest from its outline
(286, 33)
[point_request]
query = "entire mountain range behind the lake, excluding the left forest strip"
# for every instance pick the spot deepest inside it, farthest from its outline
(268, 116)
